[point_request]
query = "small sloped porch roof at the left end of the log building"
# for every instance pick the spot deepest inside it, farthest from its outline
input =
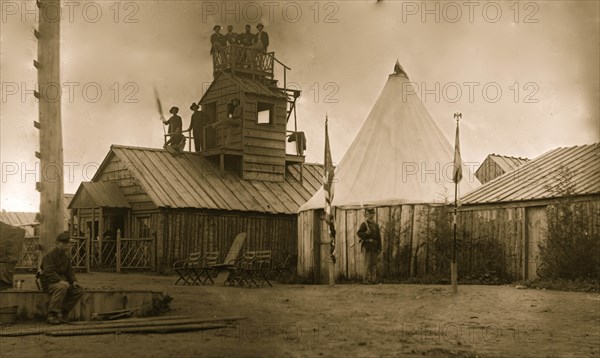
(99, 194)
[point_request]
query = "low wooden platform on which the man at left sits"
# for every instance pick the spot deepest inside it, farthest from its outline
(33, 304)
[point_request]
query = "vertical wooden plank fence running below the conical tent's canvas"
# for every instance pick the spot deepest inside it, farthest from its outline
(417, 242)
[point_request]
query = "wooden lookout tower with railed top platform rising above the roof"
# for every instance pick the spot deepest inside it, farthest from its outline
(254, 144)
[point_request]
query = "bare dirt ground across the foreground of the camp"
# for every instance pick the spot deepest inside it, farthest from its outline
(346, 321)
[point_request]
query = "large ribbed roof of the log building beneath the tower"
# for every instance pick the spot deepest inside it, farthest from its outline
(190, 181)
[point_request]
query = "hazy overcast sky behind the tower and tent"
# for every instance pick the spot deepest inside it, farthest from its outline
(524, 76)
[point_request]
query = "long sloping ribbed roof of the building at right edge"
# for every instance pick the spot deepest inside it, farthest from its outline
(535, 179)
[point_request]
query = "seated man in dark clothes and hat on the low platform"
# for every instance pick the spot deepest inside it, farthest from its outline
(58, 278)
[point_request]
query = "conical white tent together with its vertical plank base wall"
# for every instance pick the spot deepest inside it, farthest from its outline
(399, 163)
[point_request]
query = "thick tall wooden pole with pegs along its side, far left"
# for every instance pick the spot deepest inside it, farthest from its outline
(48, 94)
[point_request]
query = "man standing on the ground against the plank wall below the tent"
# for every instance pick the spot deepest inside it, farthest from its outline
(370, 240)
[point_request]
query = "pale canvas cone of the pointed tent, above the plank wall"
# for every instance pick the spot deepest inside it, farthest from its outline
(400, 156)
